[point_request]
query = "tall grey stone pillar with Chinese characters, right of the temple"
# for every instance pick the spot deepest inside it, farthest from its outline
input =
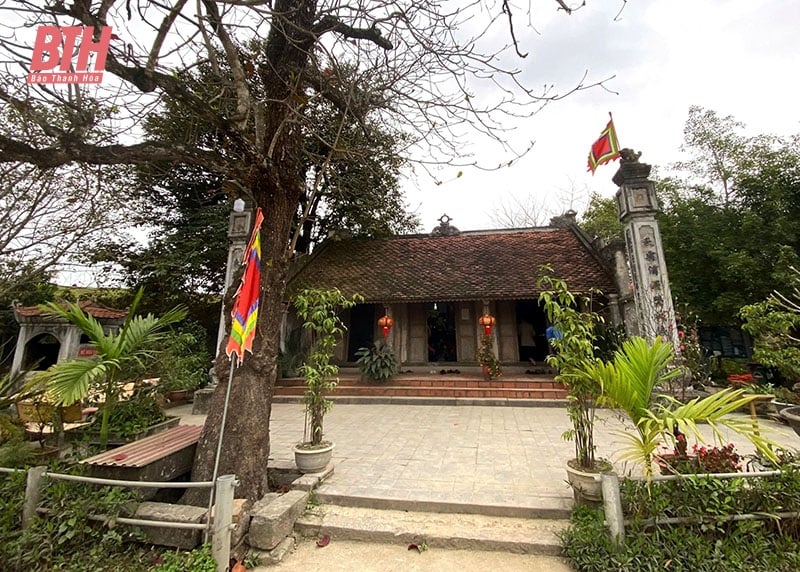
(637, 206)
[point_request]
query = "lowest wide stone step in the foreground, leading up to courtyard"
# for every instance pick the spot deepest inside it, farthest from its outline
(434, 530)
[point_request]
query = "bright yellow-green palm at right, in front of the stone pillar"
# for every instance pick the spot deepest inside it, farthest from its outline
(629, 382)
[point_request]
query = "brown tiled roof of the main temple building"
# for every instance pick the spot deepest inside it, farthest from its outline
(471, 266)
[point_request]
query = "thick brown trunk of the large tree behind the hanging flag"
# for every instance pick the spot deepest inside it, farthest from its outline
(276, 182)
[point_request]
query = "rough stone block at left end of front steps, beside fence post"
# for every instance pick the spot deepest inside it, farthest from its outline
(273, 521)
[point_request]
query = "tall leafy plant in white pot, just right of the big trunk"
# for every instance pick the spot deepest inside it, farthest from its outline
(319, 311)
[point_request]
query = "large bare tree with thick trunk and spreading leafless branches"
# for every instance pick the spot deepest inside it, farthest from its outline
(427, 70)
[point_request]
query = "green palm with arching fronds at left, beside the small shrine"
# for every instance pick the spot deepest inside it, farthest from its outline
(132, 346)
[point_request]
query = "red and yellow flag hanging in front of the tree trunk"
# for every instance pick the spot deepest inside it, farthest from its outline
(245, 306)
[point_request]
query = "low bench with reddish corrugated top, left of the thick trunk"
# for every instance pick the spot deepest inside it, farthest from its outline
(160, 457)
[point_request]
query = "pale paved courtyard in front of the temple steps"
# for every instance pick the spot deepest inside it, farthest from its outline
(500, 456)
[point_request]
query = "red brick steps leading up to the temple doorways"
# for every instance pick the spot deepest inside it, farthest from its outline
(467, 387)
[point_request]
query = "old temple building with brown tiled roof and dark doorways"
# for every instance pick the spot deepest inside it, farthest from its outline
(435, 287)
